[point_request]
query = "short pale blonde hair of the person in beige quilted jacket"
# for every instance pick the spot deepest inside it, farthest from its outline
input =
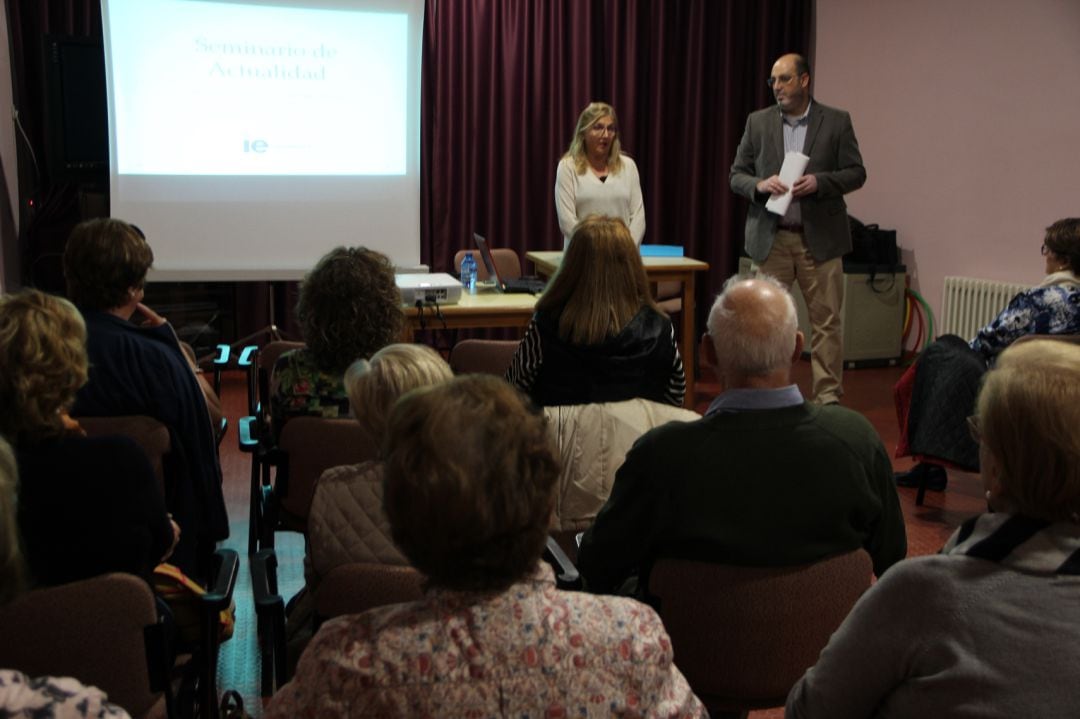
(375, 386)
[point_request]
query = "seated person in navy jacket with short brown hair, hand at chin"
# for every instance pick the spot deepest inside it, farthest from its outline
(141, 370)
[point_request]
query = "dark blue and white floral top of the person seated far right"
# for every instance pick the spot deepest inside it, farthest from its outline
(1054, 308)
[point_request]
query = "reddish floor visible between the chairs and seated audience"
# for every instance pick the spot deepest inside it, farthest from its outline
(869, 391)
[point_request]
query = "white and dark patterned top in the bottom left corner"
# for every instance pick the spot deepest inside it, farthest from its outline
(52, 698)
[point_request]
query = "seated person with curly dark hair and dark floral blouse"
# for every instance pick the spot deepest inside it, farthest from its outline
(349, 308)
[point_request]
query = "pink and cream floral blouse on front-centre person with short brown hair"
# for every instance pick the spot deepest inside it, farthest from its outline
(533, 652)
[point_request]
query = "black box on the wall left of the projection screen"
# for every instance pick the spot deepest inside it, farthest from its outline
(76, 116)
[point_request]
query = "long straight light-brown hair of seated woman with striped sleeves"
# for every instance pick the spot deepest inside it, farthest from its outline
(600, 286)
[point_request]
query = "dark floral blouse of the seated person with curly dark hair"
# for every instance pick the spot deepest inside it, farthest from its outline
(299, 389)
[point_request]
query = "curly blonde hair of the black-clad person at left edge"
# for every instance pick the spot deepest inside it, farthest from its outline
(43, 363)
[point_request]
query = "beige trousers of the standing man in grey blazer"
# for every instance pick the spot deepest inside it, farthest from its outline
(822, 284)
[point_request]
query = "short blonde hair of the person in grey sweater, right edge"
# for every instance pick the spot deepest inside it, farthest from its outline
(1029, 417)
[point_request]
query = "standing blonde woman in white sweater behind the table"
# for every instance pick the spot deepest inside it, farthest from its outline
(595, 178)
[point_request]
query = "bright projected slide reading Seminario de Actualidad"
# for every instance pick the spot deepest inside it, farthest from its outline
(234, 89)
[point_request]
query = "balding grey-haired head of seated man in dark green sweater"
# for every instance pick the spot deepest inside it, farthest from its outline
(754, 329)
